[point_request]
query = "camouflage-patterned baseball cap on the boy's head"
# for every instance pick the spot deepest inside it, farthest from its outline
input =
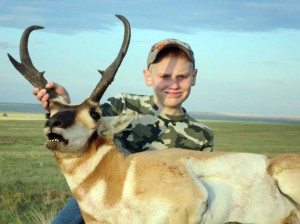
(156, 48)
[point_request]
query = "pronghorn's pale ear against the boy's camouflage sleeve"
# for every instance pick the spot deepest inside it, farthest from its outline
(115, 125)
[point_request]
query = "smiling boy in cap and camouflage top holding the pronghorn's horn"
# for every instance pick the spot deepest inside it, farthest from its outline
(159, 121)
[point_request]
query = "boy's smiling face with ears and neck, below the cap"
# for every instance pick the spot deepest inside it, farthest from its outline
(171, 79)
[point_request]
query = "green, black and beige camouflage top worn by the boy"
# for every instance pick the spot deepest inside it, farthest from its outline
(150, 129)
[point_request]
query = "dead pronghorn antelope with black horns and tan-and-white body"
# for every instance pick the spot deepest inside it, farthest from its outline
(163, 186)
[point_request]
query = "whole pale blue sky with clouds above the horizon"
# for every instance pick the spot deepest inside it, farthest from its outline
(247, 52)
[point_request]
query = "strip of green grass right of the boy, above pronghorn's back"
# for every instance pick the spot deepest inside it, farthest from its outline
(265, 138)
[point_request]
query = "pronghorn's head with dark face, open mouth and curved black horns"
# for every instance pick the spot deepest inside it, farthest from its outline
(70, 128)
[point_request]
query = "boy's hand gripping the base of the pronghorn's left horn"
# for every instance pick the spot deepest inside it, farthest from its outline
(43, 96)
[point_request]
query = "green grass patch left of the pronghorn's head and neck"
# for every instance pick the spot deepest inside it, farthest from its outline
(32, 189)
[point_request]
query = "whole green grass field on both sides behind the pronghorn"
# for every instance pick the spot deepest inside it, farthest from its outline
(32, 189)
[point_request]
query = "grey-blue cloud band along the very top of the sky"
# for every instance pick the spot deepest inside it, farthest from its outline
(180, 16)
